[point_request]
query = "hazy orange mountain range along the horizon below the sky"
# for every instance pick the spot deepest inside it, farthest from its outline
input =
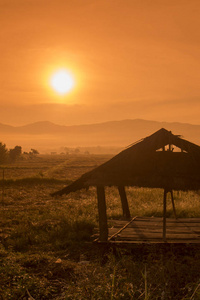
(46, 136)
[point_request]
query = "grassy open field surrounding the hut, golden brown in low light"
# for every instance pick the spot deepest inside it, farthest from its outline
(45, 243)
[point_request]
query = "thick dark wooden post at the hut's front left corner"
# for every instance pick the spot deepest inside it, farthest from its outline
(103, 226)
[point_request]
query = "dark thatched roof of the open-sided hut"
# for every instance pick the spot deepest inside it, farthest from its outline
(143, 165)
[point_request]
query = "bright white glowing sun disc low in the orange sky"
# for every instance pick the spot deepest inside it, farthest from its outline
(62, 81)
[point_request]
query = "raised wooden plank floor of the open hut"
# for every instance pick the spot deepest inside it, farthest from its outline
(149, 230)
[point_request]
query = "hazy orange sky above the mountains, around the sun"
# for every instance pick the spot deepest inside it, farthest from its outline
(129, 58)
